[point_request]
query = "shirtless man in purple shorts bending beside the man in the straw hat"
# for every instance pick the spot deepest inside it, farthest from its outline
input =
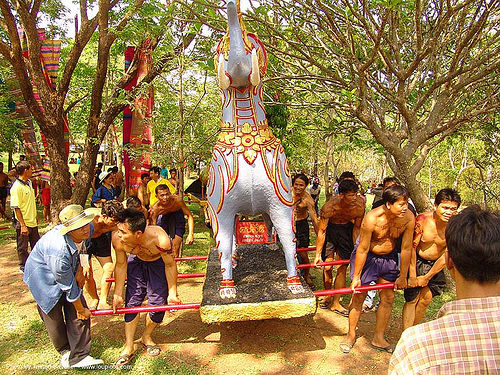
(150, 270)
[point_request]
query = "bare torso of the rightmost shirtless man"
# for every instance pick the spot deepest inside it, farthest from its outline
(429, 239)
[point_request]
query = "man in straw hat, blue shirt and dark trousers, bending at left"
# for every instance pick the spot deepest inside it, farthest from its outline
(53, 275)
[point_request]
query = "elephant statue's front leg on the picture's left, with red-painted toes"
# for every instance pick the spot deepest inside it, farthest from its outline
(224, 240)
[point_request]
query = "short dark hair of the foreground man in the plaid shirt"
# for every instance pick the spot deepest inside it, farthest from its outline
(473, 241)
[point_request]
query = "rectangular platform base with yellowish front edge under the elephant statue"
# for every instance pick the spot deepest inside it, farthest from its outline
(261, 289)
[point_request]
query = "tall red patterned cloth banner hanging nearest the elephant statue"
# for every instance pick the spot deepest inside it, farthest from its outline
(137, 121)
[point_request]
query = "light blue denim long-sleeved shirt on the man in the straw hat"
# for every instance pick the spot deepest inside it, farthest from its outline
(51, 267)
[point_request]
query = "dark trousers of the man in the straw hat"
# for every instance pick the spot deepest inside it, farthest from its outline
(66, 331)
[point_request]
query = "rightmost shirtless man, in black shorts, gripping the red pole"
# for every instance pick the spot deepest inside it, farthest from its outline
(427, 261)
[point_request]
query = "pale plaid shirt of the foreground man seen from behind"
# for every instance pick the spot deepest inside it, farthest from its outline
(465, 339)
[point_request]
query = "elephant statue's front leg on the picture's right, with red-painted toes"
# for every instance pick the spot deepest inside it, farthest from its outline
(282, 220)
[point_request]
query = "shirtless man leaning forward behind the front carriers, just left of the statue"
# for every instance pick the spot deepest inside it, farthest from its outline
(168, 212)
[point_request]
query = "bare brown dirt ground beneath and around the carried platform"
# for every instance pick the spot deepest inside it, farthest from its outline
(307, 345)
